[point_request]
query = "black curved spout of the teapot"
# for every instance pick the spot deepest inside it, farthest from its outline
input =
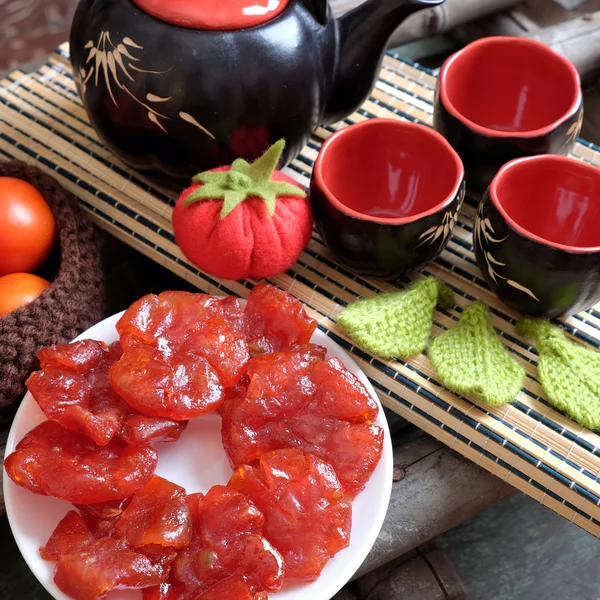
(363, 34)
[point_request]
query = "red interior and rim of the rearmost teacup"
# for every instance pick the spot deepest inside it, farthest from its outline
(510, 85)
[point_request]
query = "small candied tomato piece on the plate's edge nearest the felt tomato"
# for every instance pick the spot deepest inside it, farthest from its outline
(275, 320)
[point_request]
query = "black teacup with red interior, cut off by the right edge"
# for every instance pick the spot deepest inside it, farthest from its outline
(537, 235)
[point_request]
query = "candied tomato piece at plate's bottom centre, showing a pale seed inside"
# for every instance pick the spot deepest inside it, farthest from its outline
(227, 542)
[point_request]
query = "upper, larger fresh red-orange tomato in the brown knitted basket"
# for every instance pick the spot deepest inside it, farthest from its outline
(27, 227)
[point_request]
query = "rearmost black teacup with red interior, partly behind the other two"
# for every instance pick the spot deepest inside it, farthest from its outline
(502, 98)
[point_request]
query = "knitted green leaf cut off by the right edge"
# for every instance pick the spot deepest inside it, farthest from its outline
(569, 373)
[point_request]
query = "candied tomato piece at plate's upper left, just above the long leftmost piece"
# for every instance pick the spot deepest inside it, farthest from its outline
(73, 388)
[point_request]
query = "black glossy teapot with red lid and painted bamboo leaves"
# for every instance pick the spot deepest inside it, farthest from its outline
(174, 87)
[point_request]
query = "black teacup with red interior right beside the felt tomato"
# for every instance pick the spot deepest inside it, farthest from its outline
(386, 195)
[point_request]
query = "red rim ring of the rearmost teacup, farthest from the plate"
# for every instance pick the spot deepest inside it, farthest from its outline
(509, 134)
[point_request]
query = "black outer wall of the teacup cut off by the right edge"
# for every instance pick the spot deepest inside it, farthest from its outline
(535, 278)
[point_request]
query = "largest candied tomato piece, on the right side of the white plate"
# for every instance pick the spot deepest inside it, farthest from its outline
(295, 400)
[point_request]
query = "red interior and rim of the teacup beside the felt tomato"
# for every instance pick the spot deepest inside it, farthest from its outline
(388, 171)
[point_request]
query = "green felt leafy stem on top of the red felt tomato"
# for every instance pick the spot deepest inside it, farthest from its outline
(244, 180)
